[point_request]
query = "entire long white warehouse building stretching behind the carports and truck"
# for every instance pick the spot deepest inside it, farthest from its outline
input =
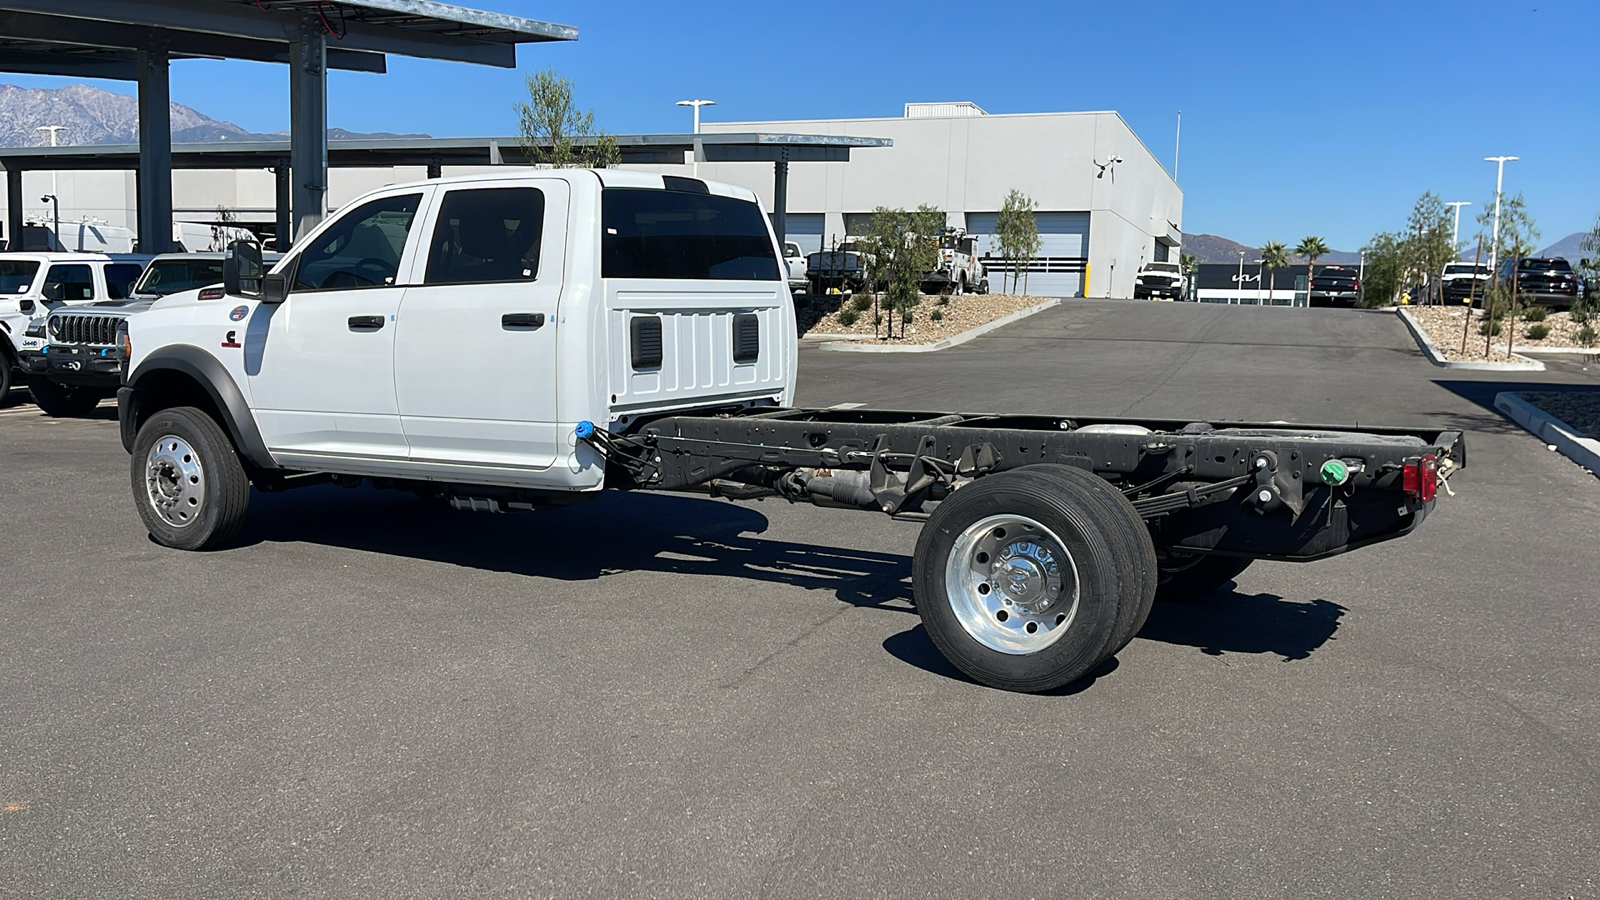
(1098, 220)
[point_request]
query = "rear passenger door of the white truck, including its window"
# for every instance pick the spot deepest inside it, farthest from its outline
(476, 347)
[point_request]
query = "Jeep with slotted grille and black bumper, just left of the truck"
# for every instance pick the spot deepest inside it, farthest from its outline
(71, 355)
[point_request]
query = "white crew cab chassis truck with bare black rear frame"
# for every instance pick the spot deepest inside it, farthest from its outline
(634, 332)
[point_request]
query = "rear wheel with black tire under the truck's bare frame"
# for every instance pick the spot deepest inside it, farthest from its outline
(1018, 582)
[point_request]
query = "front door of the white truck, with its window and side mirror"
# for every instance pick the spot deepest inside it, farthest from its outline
(321, 364)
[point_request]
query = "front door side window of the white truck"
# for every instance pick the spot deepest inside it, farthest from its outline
(359, 251)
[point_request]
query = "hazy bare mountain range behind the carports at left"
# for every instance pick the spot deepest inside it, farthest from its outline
(92, 116)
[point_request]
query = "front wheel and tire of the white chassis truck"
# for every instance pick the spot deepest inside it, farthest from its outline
(188, 483)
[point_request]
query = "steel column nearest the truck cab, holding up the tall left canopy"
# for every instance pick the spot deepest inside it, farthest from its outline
(310, 126)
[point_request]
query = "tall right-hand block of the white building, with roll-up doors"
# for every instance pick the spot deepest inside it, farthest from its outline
(1098, 225)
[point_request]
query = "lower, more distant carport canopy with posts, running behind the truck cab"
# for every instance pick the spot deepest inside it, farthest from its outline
(438, 153)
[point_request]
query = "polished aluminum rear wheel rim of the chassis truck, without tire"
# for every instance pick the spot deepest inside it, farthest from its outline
(1012, 585)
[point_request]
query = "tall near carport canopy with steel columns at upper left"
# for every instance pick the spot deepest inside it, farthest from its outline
(138, 39)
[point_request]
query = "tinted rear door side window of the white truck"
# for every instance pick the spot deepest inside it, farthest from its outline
(487, 235)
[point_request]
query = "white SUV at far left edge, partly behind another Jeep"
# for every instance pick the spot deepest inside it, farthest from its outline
(34, 283)
